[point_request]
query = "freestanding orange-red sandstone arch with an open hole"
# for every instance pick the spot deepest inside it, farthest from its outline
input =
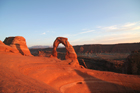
(70, 52)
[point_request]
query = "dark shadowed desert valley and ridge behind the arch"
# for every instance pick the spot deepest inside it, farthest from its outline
(109, 57)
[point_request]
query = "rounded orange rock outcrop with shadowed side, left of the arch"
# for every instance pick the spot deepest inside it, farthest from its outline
(18, 44)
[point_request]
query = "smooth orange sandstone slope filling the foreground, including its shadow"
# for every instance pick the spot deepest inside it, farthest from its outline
(20, 74)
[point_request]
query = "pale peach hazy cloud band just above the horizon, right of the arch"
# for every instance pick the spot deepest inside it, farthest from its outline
(112, 38)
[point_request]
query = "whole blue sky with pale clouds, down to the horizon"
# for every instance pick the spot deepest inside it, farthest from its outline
(81, 21)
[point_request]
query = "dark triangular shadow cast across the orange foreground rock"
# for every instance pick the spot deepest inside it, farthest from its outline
(95, 85)
